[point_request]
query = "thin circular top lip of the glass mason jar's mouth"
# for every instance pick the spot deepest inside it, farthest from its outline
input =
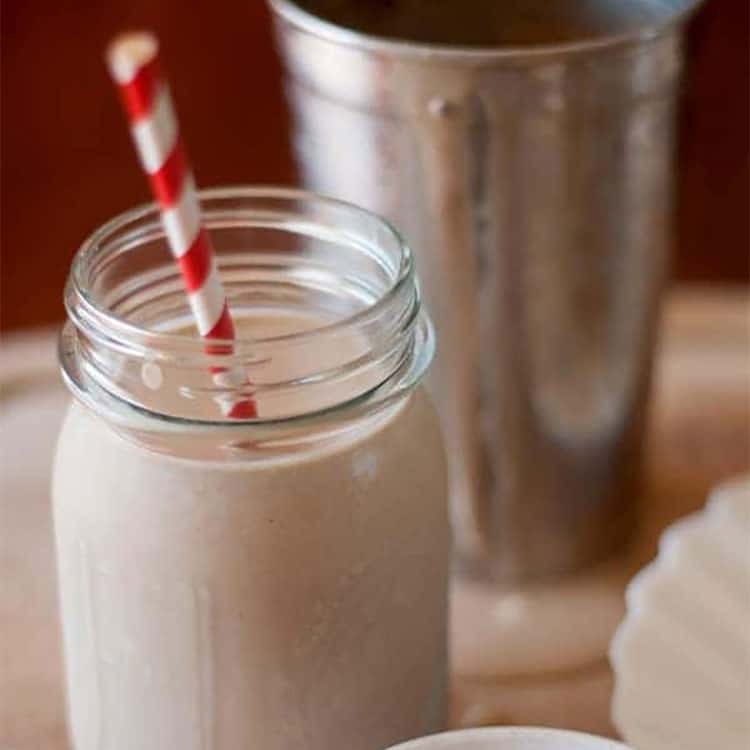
(99, 314)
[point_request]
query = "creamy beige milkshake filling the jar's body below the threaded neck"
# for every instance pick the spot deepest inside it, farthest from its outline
(291, 603)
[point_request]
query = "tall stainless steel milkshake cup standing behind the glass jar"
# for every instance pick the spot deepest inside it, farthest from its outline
(524, 148)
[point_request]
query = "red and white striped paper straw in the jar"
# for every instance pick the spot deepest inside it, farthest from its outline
(134, 64)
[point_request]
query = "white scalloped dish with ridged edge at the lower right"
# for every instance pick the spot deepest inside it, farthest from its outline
(682, 654)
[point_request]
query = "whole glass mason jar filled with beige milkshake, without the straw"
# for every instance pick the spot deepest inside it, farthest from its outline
(277, 582)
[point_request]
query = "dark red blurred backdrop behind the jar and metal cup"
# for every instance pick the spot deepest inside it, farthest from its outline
(68, 164)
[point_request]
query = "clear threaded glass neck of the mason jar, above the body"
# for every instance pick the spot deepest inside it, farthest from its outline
(104, 347)
